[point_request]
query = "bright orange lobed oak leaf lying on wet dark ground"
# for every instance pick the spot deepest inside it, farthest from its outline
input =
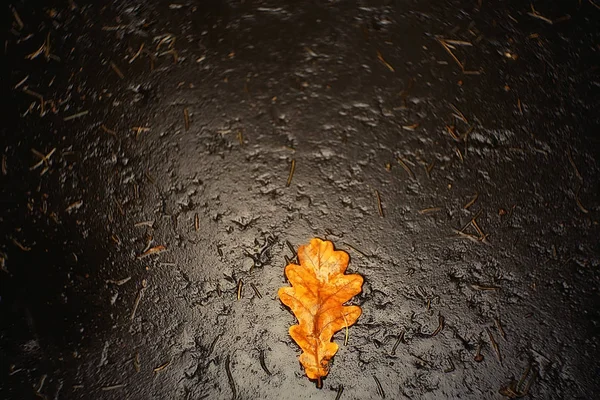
(317, 296)
